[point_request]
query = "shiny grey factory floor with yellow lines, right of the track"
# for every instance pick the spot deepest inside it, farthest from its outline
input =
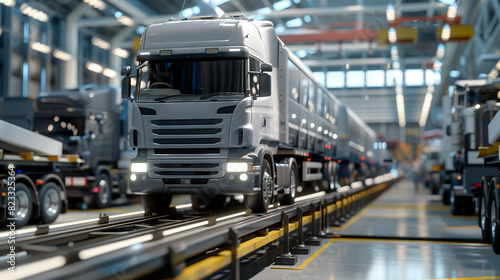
(404, 234)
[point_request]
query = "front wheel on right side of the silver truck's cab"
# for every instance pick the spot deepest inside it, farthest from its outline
(259, 203)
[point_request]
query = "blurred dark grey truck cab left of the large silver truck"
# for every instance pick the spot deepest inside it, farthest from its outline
(90, 121)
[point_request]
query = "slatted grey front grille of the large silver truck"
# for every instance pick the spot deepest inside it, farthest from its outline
(188, 151)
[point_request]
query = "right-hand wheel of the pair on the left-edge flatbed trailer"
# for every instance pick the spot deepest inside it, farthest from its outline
(50, 203)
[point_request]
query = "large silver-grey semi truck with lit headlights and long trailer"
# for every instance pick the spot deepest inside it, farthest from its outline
(221, 107)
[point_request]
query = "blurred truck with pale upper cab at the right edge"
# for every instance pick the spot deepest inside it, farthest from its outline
(470, 98)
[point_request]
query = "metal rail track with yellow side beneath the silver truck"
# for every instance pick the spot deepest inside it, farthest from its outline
(137, 247)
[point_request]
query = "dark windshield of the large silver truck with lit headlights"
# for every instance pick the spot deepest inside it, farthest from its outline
(188, 80)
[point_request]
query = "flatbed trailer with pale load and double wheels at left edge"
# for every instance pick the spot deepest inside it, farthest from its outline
(31, 185)
